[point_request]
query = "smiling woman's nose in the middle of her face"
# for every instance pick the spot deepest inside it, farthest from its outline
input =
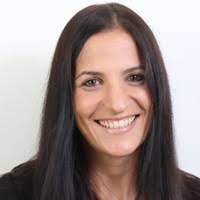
(116, 99)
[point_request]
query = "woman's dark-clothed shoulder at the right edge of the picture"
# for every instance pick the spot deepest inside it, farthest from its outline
(191, 186)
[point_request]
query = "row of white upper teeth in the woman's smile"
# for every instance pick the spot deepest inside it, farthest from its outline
(117, 124)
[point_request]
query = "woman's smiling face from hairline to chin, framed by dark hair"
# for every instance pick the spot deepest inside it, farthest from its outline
(112, 103)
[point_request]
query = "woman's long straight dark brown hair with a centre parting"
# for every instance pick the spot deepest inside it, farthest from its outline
(59, 169)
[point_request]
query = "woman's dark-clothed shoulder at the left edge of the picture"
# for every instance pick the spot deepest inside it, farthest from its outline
(17, 184)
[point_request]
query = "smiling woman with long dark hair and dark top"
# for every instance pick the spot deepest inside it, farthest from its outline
(106, 130)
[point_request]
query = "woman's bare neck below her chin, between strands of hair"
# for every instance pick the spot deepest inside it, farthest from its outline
(114, 177)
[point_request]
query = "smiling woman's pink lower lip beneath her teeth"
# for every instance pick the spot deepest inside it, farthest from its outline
(120, 130)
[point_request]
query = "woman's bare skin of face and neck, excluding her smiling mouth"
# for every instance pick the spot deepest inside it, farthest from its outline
(110, 95)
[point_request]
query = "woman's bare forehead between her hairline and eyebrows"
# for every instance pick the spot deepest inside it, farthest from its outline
(113, 49)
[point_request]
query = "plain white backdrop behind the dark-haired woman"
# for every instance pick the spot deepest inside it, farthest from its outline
(29, 31)
